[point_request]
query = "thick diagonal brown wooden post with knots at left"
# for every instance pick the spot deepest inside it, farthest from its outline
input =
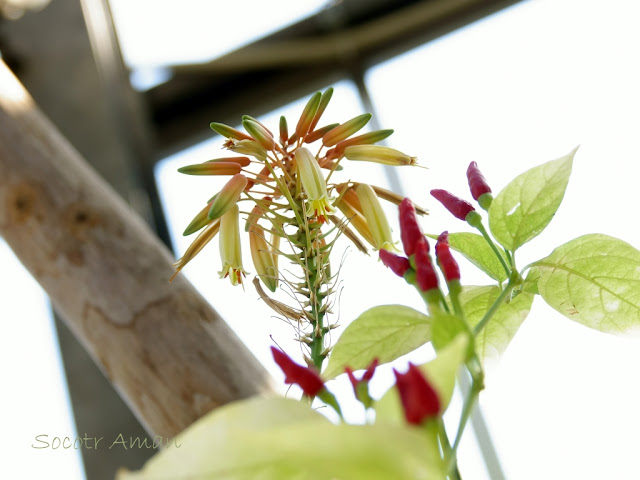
(167, 352)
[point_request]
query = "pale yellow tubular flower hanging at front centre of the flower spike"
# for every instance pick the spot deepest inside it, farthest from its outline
(314, 186)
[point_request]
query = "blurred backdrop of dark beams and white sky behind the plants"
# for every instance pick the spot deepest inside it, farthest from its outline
(134, 84)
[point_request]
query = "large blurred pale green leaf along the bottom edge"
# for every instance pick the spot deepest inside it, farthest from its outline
(274, 439)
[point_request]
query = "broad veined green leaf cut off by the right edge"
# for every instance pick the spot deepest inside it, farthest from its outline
(594, 280)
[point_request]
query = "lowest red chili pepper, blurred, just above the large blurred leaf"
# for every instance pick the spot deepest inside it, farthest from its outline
(419, 399)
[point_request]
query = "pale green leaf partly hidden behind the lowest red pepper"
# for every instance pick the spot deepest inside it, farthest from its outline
(441, 373)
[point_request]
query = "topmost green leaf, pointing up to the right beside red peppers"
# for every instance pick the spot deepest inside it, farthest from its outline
(526, 205)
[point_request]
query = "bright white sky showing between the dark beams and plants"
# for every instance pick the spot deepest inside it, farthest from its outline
(517, 89)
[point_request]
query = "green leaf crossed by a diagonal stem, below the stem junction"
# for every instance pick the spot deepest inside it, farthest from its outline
(496, 335)
